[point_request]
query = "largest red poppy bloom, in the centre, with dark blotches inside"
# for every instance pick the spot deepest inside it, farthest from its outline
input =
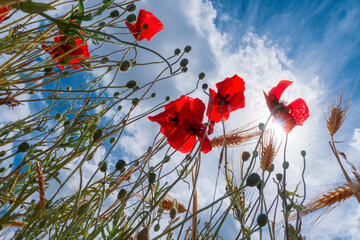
(182, 123)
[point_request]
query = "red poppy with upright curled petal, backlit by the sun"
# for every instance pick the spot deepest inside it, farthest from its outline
(290, 115)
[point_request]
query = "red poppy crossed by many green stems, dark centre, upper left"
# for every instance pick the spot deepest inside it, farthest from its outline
(74, 50)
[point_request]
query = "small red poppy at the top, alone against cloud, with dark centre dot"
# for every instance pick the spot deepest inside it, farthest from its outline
(153, 26)
